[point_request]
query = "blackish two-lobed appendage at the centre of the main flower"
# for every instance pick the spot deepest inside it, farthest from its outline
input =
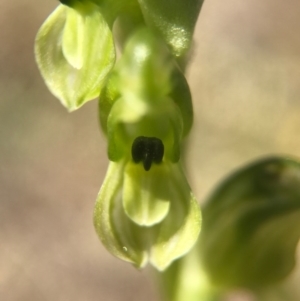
(147, 150)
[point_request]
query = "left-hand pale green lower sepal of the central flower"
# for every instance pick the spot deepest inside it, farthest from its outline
(117, 232)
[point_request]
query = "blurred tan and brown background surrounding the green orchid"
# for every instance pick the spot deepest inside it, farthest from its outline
(245, 80)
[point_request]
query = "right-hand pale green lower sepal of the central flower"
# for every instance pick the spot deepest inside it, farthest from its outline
(179, 231)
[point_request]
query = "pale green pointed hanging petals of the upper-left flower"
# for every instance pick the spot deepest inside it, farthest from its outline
(77, 75)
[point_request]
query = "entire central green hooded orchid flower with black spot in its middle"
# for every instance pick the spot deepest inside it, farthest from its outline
(145, 210)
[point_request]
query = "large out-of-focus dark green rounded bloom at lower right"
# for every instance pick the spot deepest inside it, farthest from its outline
(251, 225)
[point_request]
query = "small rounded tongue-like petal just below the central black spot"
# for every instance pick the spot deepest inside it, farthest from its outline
(146, 194)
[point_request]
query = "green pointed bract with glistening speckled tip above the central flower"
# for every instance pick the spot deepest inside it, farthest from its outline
(175, 20)
